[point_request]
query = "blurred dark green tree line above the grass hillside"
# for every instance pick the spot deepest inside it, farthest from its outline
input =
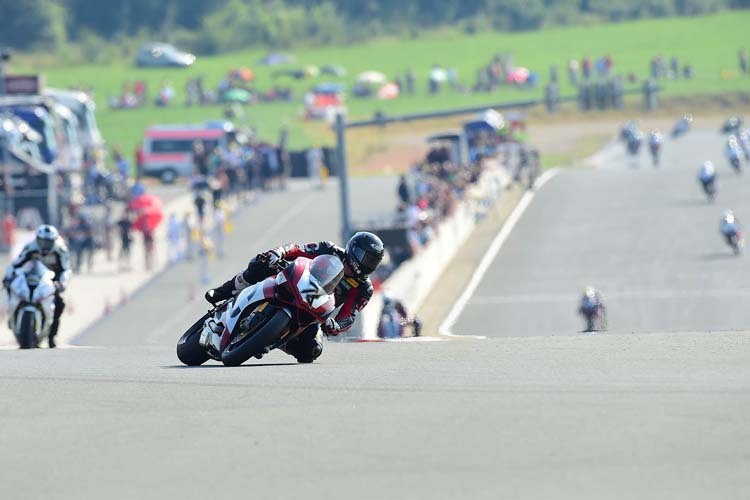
(211, 26)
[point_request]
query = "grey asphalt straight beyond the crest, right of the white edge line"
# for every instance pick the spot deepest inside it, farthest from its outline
(647, 238)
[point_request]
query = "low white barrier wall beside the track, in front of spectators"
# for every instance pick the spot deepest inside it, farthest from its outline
(413, 280)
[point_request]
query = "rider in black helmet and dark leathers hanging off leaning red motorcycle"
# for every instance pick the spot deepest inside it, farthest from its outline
(361, 257)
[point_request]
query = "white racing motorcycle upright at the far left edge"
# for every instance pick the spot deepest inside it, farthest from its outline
(31, 303)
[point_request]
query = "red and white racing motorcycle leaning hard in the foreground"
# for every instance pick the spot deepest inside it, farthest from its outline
(266, 315)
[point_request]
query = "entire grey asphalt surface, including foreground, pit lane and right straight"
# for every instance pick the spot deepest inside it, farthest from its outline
(522, 414)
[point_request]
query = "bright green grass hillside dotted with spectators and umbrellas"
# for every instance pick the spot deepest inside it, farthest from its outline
(708, 43)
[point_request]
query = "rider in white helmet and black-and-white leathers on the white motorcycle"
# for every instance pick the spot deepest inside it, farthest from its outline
(50, 248)
